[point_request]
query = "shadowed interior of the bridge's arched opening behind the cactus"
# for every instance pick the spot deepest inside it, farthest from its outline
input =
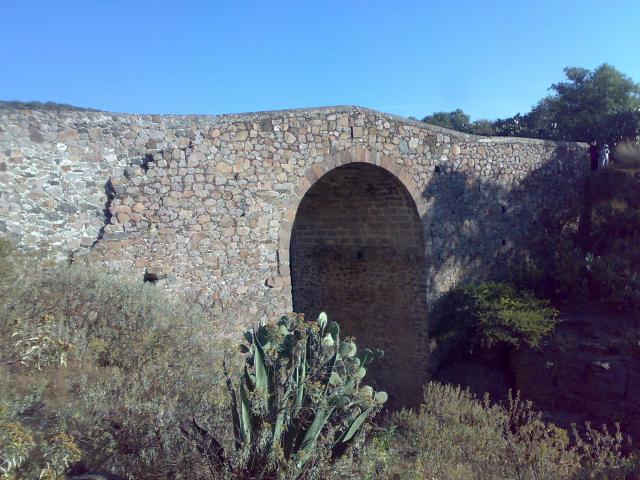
(357, 252)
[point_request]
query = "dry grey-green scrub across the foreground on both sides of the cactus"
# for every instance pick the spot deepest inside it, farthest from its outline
(102, 373)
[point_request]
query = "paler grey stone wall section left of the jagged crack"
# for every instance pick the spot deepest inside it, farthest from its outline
(54, 169)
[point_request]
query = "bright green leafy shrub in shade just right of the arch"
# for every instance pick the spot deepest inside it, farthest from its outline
(491, 314)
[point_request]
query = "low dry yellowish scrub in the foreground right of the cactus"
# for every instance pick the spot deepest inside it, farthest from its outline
(456, 436)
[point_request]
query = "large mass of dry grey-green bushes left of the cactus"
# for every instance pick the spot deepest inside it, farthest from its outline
(121, 365)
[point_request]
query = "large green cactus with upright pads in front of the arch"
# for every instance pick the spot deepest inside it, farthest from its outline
(301, 386)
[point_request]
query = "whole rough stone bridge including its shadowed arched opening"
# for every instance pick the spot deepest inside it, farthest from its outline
(365, 215)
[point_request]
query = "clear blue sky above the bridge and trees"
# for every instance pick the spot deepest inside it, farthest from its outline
(490, 58)
